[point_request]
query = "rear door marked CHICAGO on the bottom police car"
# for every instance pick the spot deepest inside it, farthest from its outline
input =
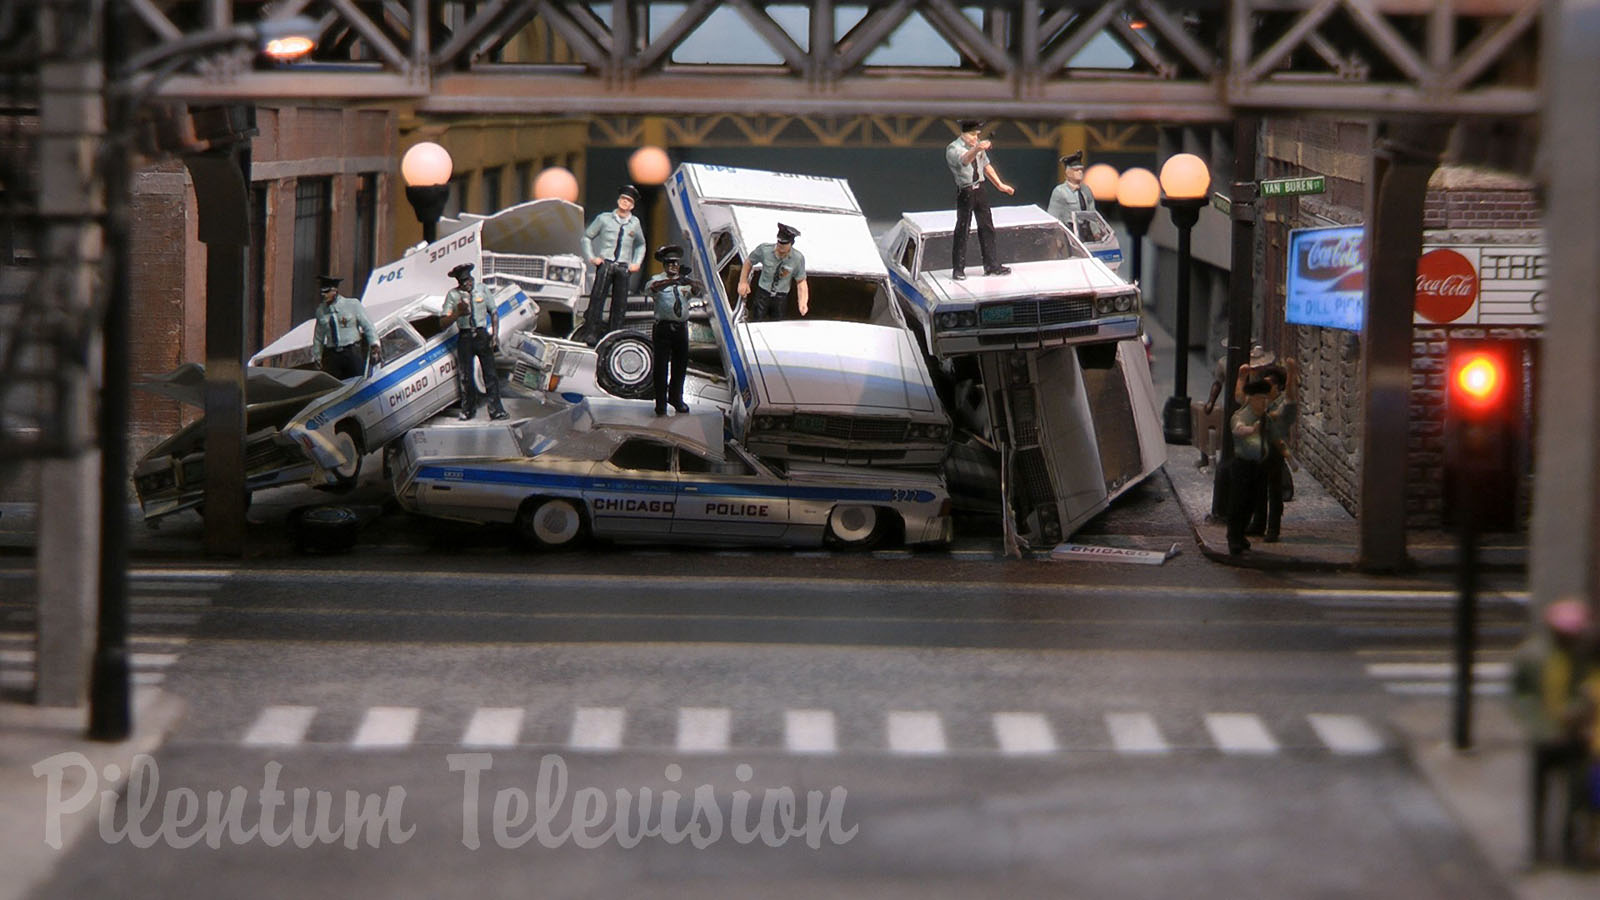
(633, 492)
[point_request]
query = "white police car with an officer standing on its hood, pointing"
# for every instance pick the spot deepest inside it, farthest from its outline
(1057, 292)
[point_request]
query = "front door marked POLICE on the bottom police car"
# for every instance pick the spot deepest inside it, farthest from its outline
(729, 500)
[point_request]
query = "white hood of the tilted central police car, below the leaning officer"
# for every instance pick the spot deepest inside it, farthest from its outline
(841, 366)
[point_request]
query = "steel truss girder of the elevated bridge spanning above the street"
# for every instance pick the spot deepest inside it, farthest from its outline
(1190, 60)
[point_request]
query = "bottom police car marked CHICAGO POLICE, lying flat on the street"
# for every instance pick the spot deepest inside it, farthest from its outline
(614, 470)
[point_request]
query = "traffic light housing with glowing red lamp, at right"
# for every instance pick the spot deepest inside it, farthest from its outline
(1481, 449)
